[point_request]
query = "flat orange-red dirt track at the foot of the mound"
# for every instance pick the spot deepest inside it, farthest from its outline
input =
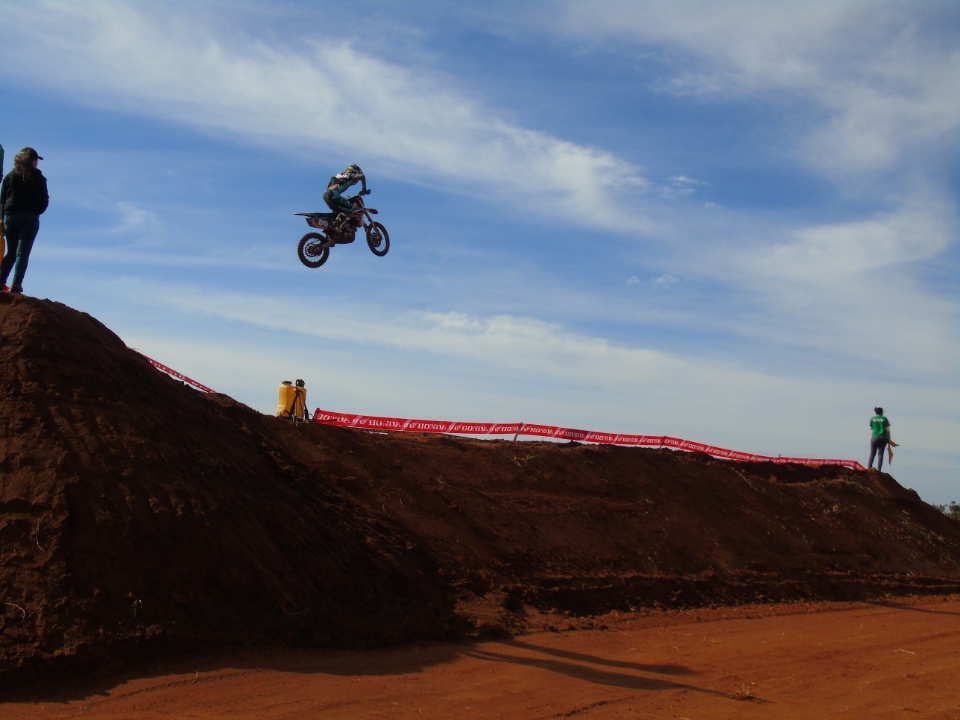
(796, 662)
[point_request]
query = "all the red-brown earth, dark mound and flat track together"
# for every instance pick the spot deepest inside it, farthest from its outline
(144, 520)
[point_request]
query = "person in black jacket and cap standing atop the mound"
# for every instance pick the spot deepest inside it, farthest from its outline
(23, 199)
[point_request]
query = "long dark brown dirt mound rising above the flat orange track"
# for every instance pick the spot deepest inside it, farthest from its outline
(142, 517)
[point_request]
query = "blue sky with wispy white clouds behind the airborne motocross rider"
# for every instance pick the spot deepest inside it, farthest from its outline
(730, 222)
